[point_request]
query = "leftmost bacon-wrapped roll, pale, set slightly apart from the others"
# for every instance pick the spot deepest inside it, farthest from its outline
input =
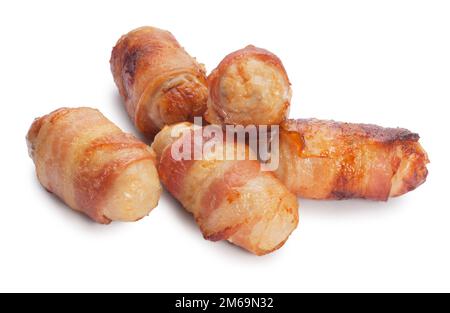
(93, 166)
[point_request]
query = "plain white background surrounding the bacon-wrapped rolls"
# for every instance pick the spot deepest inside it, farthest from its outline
(383, 62)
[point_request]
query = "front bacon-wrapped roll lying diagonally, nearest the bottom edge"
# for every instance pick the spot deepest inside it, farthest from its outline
(230, 200)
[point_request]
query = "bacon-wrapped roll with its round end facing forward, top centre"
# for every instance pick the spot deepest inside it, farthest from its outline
(249, 87)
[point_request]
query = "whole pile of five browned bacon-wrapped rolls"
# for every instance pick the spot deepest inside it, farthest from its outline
(96, 169)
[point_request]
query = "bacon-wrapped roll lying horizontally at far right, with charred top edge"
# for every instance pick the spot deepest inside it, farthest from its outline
(331, 160)
